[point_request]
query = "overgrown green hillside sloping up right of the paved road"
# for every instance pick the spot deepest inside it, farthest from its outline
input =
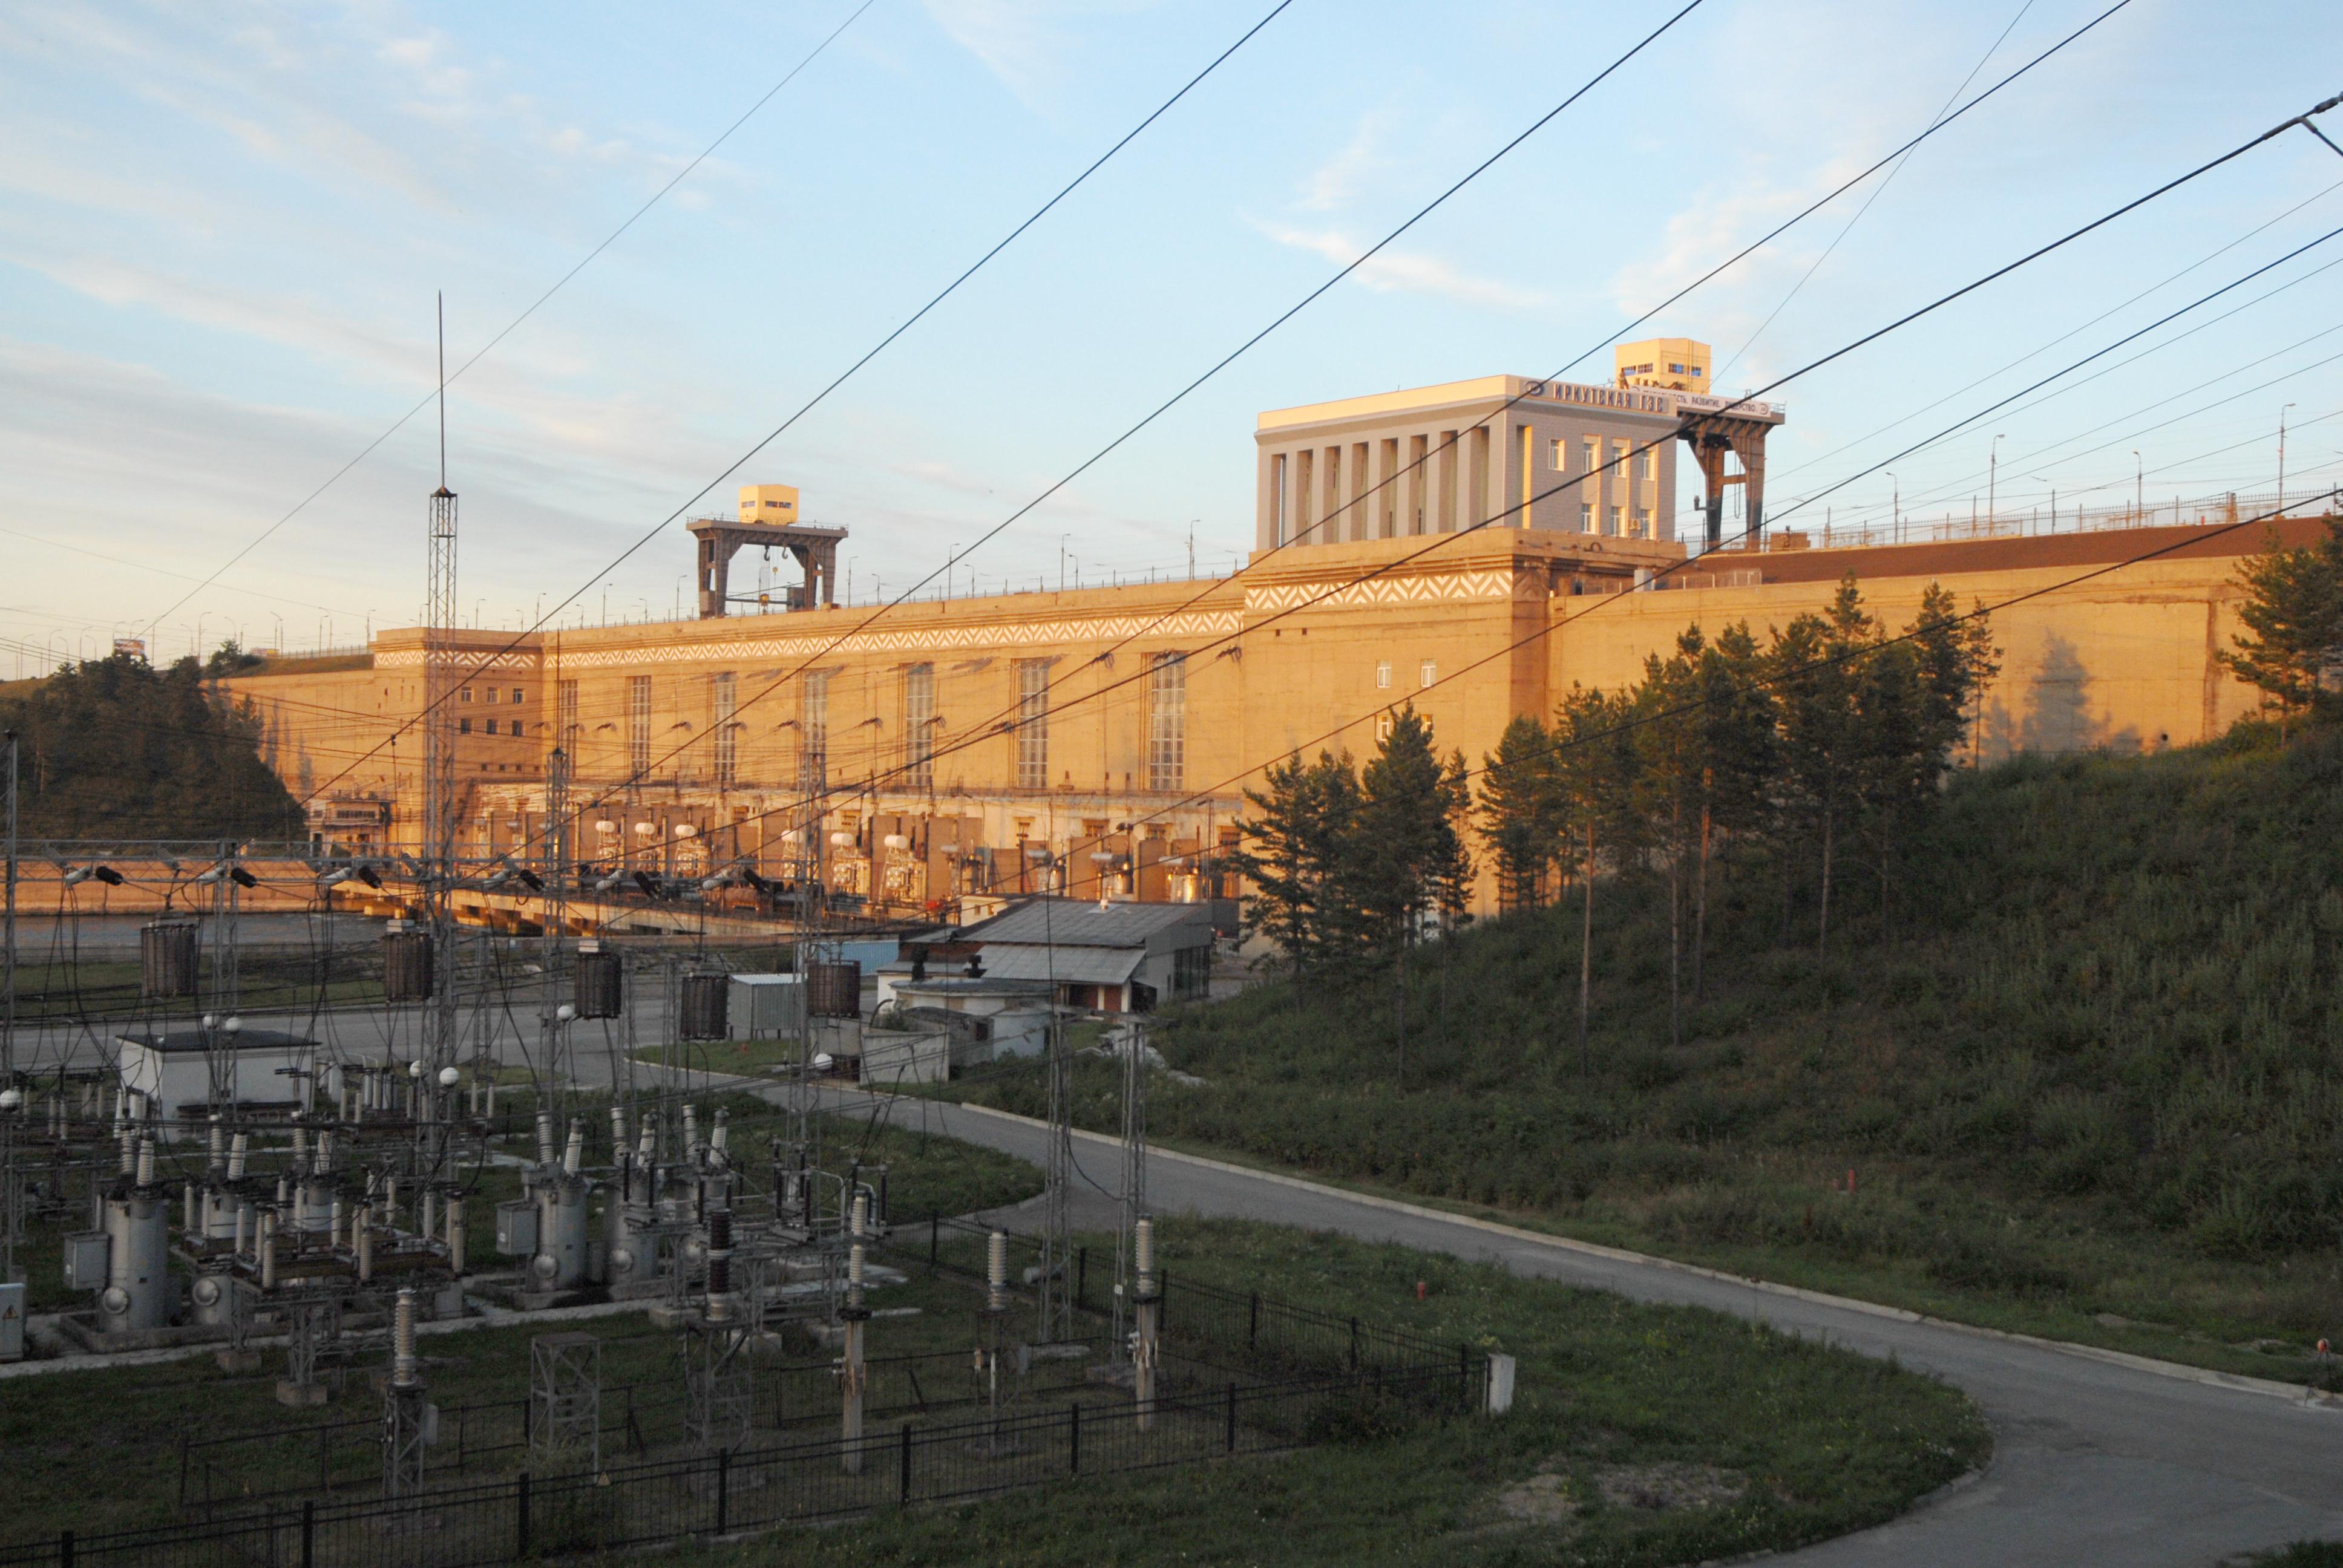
(2091, 1084)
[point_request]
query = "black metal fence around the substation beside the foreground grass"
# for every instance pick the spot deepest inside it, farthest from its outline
(1238, 1375)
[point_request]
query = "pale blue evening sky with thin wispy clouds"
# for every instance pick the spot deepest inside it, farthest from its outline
(224, 229)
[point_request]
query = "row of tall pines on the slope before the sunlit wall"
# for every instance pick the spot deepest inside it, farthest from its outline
(1826, 742)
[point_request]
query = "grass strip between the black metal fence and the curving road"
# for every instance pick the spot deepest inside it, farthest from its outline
(1801, 1443)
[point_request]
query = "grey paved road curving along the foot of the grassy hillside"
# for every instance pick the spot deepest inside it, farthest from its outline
(2093, 1461)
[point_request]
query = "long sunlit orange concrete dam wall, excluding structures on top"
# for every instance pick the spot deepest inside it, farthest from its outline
(1306, 653)
